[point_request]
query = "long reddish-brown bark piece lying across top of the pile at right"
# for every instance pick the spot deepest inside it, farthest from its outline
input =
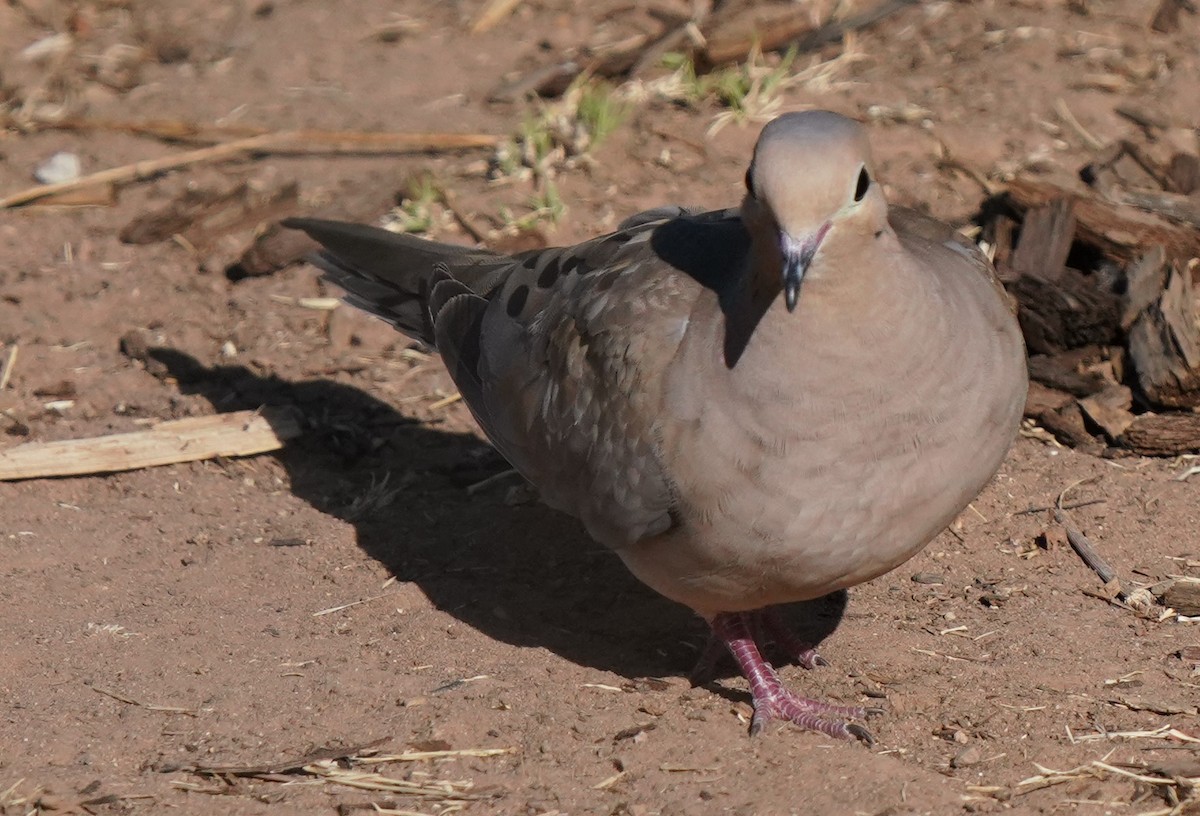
(1119, 231)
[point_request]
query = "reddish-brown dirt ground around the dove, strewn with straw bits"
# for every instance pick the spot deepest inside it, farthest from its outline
(351, 589)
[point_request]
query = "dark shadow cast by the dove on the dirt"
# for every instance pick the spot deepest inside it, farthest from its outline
(521, 574)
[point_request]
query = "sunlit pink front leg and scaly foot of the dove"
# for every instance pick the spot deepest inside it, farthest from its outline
(772, 700)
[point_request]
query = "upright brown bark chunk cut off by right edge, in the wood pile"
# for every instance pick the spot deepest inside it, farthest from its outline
(1165, 346)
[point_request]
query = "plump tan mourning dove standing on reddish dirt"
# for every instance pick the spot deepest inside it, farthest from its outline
(751, 407)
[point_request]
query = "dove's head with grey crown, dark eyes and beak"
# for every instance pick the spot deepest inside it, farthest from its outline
(811, 179)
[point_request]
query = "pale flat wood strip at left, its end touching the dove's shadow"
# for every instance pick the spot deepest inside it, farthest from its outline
(239, 434)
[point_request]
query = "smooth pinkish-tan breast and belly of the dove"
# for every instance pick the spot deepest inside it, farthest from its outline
(839, 446)
